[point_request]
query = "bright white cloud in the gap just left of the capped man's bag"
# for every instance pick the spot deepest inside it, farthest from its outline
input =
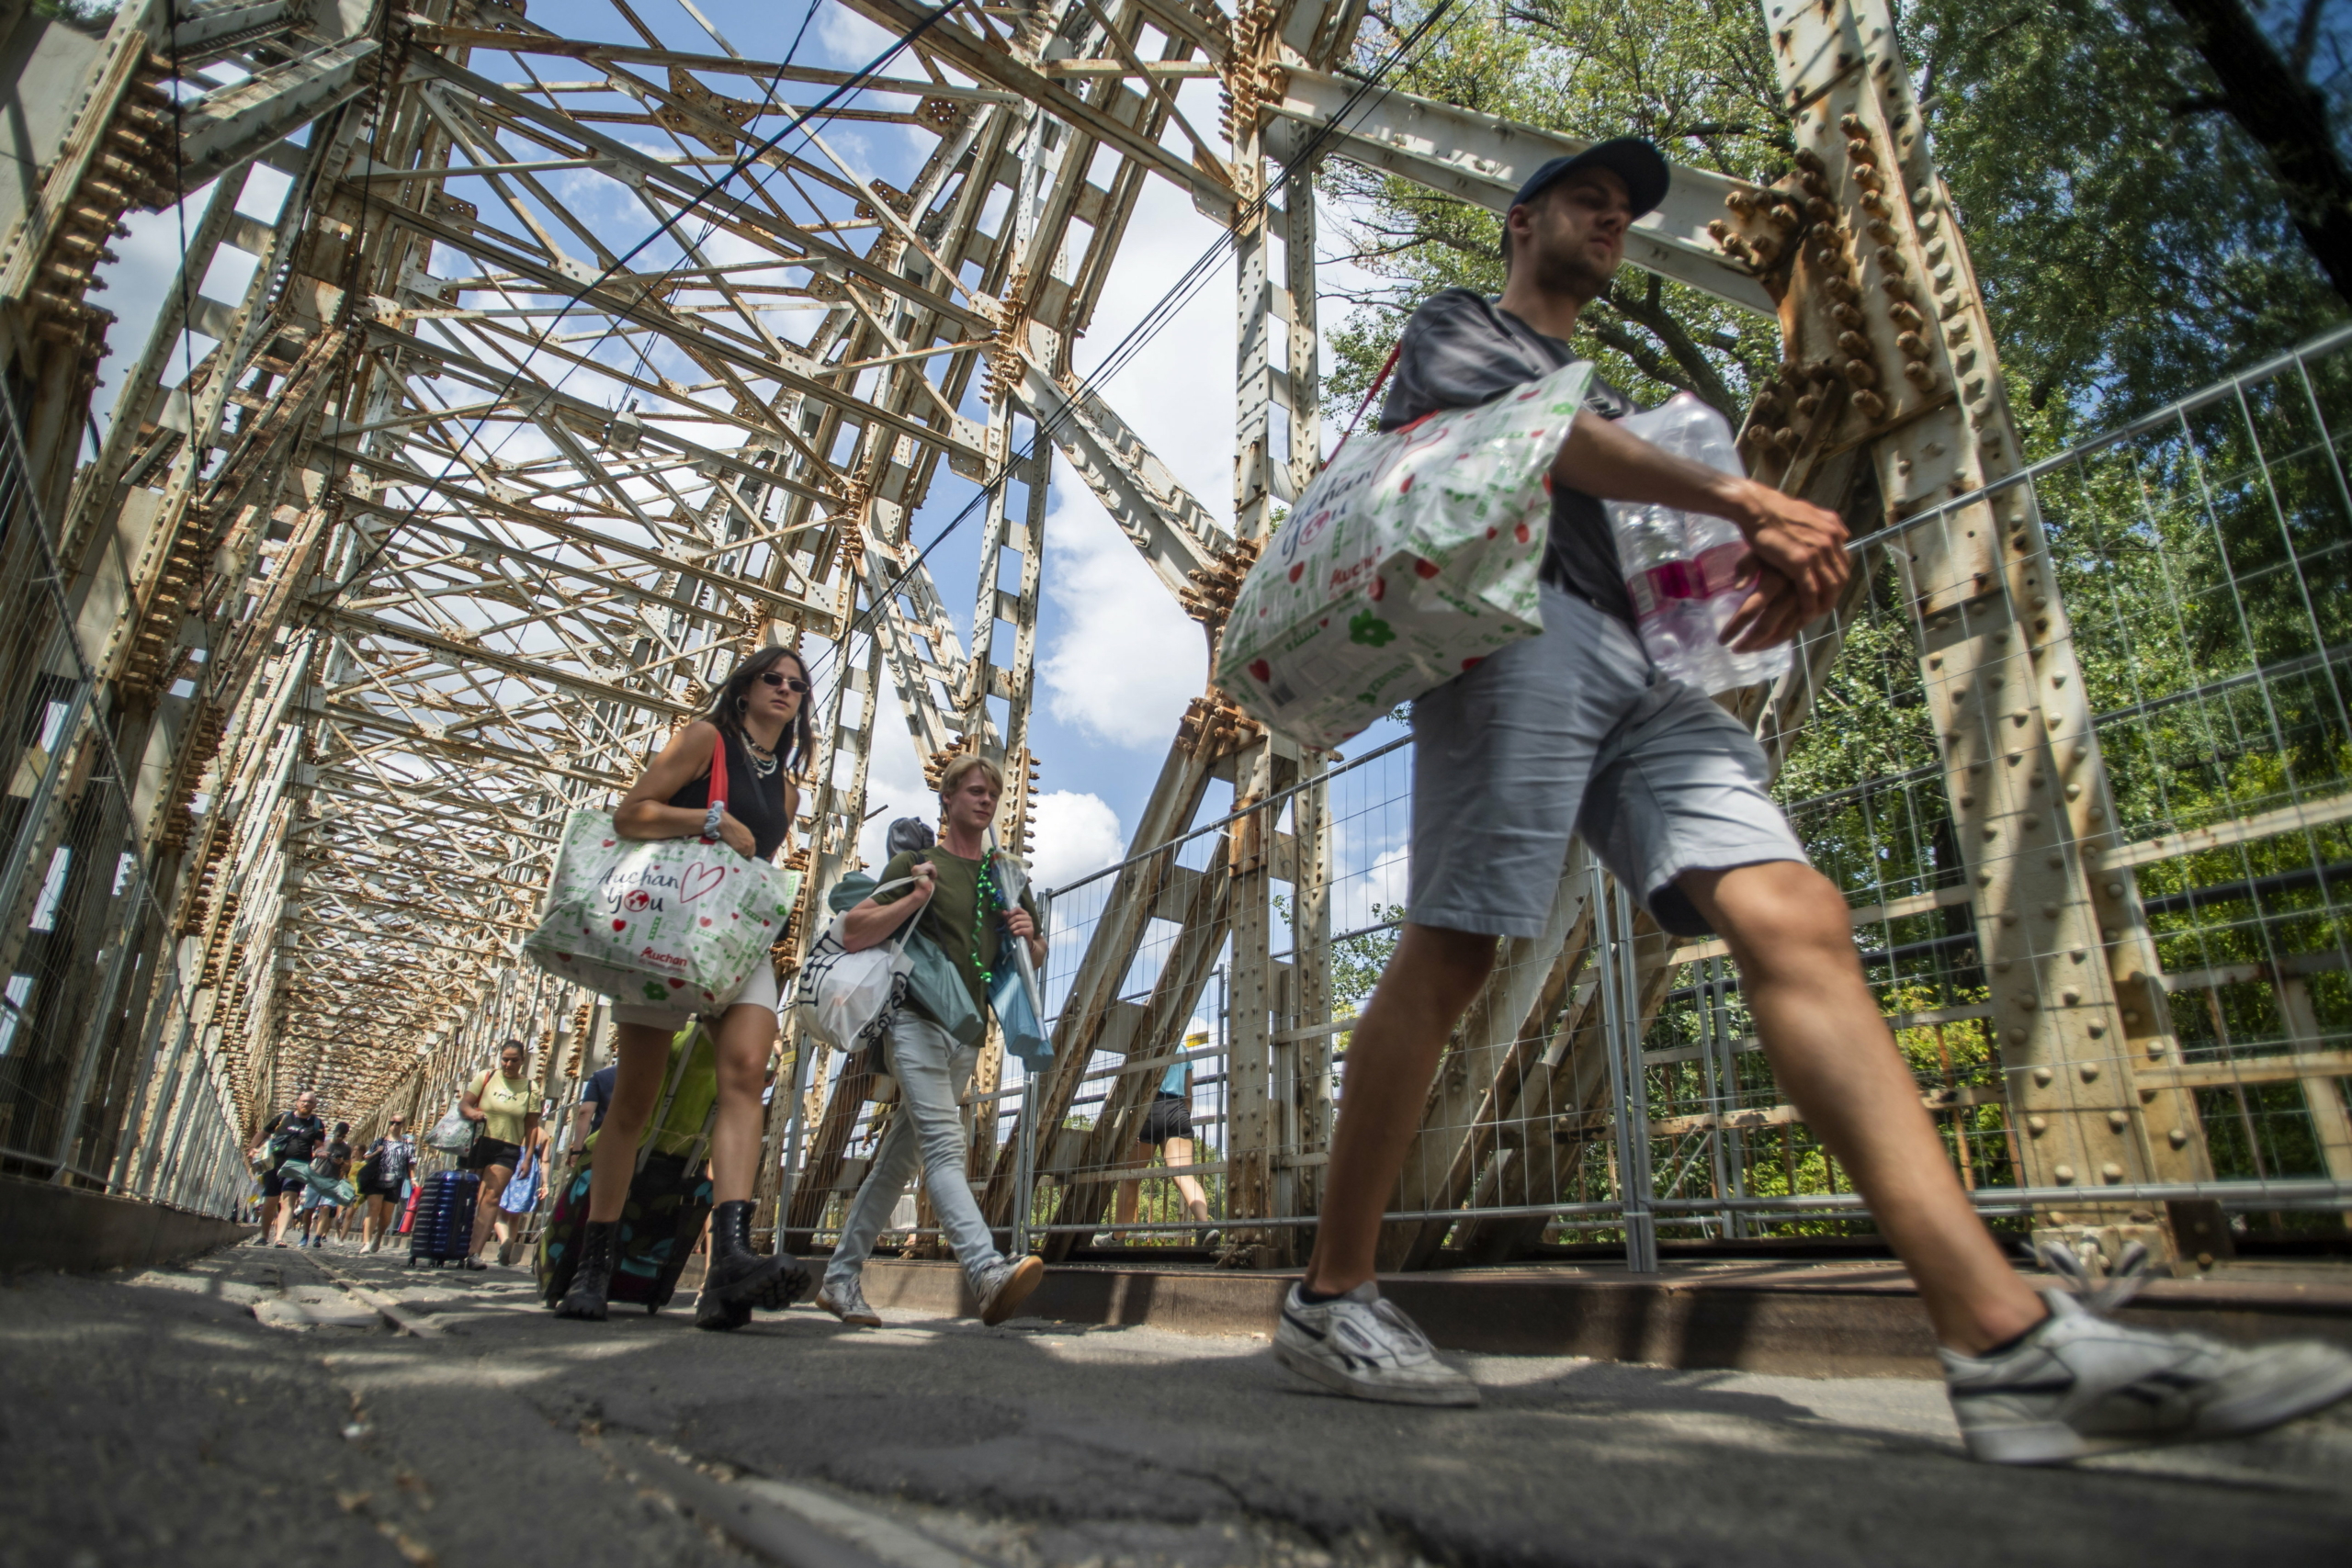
(1125, 659)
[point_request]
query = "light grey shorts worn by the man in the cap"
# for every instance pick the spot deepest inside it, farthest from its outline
(1575, 732)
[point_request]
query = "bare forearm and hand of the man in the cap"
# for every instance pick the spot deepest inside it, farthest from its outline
(1796, 547)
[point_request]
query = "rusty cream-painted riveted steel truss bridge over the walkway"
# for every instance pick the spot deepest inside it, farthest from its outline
(432, 528)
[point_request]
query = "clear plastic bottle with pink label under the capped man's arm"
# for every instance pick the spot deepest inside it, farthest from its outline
(1683, 568)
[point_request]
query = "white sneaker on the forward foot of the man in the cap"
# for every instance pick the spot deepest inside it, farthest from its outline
(2083, 1386)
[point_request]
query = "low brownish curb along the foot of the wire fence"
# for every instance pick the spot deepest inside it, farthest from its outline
(1793, 1322)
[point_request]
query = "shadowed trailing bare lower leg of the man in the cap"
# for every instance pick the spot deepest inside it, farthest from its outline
(1431, 979)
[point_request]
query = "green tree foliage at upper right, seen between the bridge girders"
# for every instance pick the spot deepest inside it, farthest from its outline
(2132, 236)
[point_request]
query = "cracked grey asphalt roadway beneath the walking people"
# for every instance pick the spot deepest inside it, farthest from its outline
(255, 1409)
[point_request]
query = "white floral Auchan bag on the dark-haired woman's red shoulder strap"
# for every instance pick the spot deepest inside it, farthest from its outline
(667, 923)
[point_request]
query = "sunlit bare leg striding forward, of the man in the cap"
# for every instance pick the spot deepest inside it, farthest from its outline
(1826, 1043)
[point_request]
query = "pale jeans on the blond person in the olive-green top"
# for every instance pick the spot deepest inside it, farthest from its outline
(928, 1137)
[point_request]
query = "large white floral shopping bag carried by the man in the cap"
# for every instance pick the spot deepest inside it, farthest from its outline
(1410, 558)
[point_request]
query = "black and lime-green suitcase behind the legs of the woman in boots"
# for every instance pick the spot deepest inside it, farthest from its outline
(669, 1198)
